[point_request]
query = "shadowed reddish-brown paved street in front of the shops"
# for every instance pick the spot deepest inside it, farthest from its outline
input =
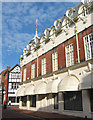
(13, 112)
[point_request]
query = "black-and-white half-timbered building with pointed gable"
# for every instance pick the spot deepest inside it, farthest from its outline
(13, 85)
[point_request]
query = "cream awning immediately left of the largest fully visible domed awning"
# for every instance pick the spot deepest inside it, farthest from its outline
(52, 86)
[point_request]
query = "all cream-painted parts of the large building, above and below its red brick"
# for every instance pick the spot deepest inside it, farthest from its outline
(76, 78)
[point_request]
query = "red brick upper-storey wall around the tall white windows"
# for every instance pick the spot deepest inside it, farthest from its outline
(61, 54)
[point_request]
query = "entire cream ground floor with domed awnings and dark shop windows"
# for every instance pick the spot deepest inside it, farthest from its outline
(68, 93)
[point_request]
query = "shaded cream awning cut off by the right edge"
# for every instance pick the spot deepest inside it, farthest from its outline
(86, 81)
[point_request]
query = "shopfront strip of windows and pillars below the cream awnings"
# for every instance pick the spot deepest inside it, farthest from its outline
(77, 103)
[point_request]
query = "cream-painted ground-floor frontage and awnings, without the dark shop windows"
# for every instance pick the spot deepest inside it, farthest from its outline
(45, 92)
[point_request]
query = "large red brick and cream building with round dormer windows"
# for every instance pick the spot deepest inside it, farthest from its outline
(57, 67)
